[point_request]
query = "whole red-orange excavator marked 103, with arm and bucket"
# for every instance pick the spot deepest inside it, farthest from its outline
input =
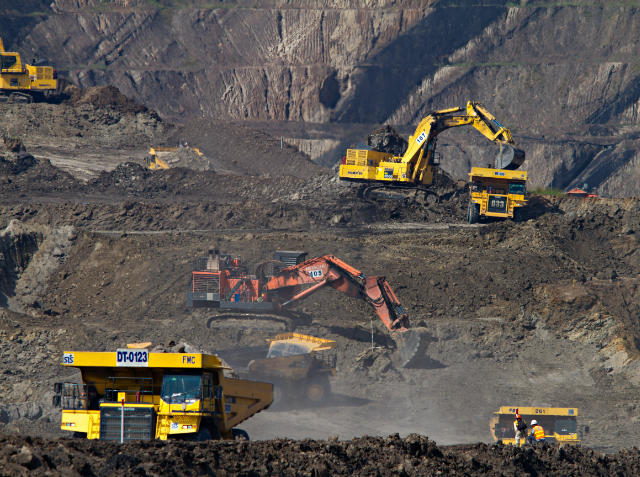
(222, 281)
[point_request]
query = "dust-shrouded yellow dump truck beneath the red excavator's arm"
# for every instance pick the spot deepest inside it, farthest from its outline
(296, 364)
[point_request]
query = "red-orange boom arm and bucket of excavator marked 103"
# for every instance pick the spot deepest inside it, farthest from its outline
(330, 271)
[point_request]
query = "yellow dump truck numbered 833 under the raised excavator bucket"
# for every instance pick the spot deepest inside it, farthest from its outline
(496, 193)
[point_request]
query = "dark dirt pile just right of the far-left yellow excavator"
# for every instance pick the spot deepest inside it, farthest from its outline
(102, 97)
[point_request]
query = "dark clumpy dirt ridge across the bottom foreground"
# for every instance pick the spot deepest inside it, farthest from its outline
(413, 455)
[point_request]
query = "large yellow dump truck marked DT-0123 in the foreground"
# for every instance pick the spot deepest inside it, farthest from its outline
(161, 395)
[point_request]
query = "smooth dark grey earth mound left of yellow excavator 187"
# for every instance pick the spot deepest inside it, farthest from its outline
(242, 150)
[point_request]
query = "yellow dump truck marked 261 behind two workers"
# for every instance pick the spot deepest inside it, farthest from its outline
(559, 423)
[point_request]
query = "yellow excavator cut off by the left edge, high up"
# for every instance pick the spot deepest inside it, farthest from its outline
(21, 82)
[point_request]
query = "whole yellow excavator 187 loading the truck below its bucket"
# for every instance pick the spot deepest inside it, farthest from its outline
(416, 167)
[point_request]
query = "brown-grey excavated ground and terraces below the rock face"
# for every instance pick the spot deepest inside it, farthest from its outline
(540, 313)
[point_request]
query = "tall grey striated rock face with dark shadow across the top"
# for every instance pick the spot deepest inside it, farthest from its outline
(562, 78)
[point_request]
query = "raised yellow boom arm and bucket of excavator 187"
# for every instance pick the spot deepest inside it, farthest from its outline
(421, 144)
